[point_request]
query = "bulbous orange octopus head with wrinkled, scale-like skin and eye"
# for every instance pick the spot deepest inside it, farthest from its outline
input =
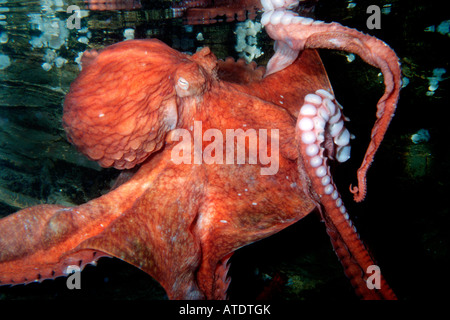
(126, 99)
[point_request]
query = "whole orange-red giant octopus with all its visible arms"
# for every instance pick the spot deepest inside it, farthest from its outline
(138, 103)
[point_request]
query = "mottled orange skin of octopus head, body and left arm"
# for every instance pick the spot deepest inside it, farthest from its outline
(167, 219)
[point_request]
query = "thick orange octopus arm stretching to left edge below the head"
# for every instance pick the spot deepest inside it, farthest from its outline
(41, 242)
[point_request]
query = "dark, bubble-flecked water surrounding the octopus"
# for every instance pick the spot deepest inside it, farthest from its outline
(404, 218)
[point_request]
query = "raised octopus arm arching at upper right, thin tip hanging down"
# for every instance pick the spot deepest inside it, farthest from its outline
(294, 34)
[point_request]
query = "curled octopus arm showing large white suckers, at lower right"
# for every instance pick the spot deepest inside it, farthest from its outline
(319, 120)
